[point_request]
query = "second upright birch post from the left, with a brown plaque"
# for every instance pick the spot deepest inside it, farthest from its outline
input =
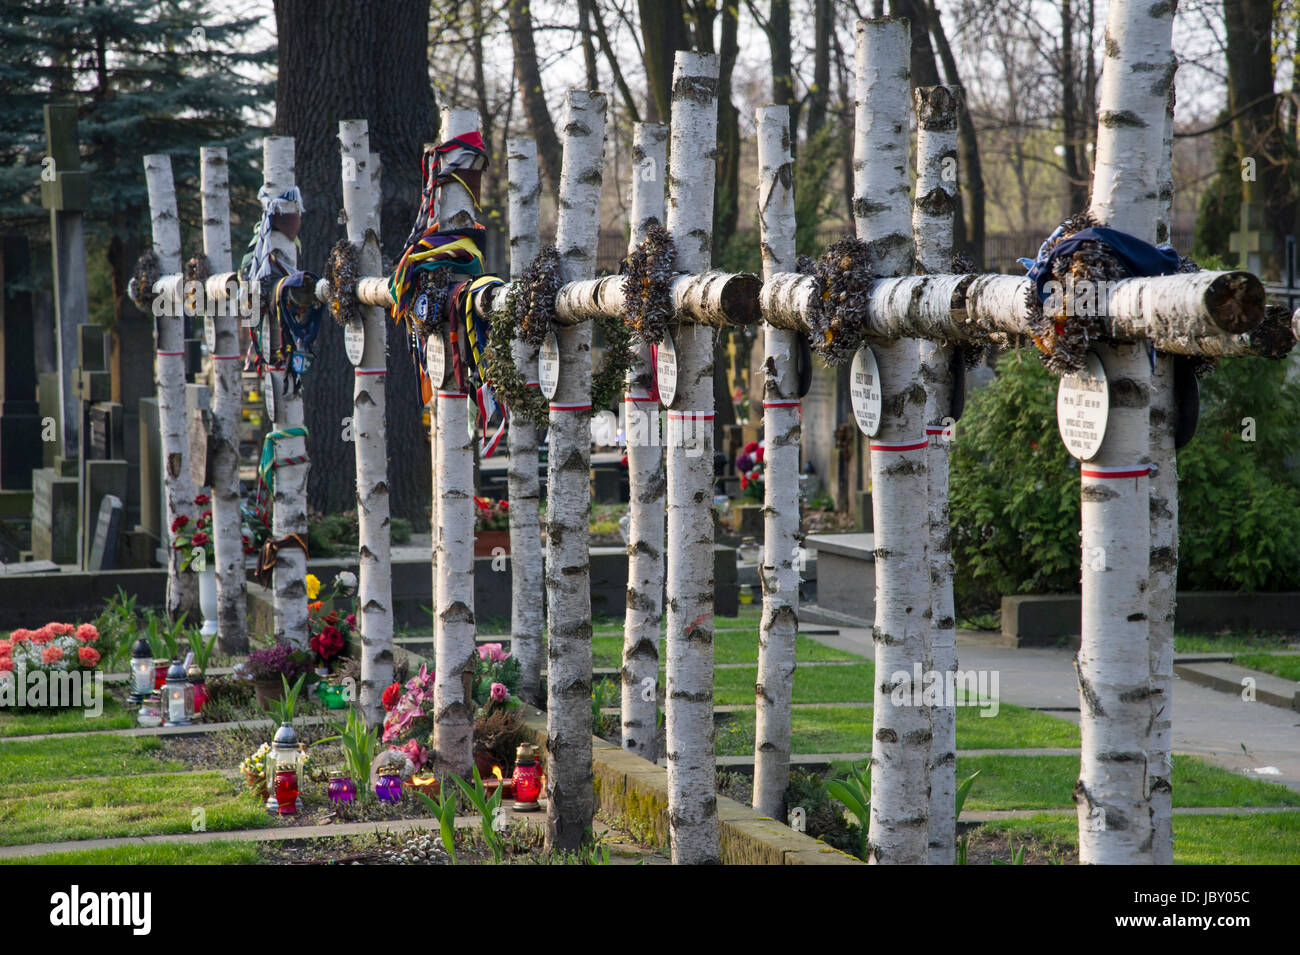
(227, 403)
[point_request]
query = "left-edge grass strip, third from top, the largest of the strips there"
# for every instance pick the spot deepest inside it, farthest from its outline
(138, 806)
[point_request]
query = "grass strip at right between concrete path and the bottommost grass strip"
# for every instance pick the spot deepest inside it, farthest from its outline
(1039, 783)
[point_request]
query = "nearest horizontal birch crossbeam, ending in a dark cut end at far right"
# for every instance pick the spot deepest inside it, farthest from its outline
(1188, 314)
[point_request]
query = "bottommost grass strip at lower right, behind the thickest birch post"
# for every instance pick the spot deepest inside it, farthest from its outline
(1267, 840)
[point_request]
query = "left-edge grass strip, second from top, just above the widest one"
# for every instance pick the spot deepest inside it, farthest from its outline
(44, 761)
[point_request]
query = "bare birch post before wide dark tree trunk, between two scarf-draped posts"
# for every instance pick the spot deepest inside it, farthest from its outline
(375, 581)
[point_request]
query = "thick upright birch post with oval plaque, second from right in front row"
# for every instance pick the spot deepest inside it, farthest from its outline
(900, 750)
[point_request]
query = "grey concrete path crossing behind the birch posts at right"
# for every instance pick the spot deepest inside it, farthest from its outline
(1216, 726)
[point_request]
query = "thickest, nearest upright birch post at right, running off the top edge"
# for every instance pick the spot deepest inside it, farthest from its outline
(1113, 663)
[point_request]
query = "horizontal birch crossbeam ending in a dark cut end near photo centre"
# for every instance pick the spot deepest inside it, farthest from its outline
(721, 299)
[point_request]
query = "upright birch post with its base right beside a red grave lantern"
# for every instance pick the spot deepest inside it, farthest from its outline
(569, 493)
